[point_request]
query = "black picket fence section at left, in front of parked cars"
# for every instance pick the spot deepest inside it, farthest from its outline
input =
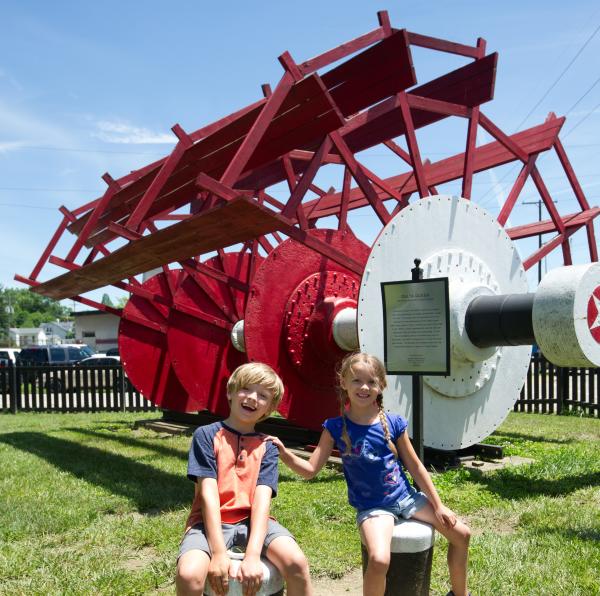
(69, 388)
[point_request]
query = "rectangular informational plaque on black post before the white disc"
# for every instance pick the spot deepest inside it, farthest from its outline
(416, 326)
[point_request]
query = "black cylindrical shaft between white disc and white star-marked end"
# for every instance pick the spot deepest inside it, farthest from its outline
(503, 320)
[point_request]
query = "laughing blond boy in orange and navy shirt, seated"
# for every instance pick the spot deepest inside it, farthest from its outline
(235, 470)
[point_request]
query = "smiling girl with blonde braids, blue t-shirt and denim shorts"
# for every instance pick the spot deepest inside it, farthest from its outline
(374, 446)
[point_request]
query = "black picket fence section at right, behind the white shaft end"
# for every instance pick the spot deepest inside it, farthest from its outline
(552, 389)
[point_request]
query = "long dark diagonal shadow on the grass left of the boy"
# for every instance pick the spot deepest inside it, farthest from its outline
(149, 488)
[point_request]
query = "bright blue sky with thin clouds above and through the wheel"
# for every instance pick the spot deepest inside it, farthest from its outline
(89, 87)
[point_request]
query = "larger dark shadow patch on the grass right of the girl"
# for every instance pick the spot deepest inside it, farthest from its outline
(509, 484)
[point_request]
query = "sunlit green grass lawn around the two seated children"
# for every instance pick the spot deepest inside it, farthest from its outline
(89, 505)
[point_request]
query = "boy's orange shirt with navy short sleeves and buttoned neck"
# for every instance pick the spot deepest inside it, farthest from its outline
(239, 462)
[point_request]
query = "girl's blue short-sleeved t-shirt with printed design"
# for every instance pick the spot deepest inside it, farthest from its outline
(375, 478)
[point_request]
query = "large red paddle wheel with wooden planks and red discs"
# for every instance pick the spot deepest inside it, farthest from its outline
(274, 274)
